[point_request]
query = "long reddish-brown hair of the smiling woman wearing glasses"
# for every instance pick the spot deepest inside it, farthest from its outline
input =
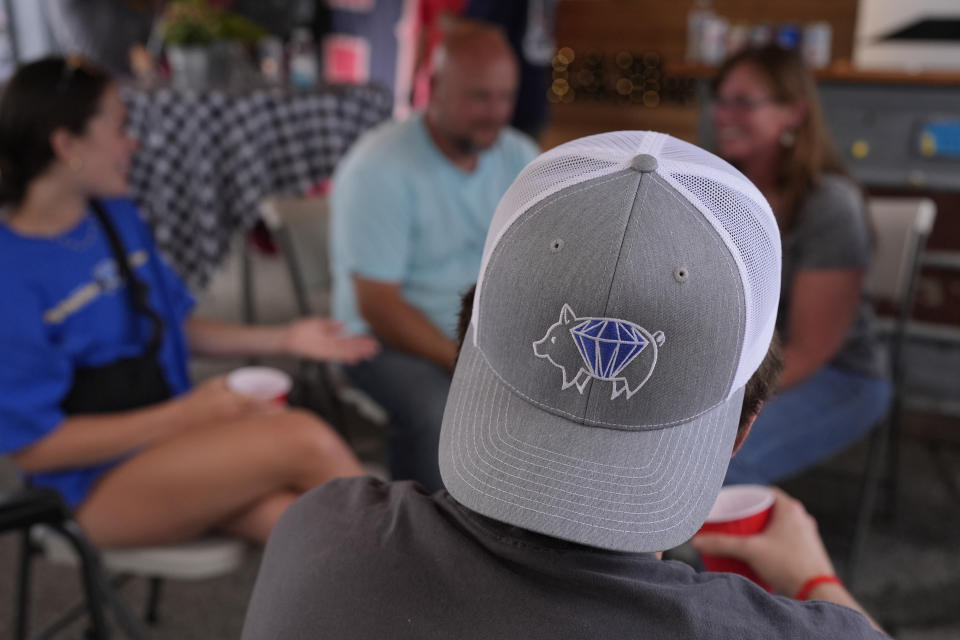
(813, 152)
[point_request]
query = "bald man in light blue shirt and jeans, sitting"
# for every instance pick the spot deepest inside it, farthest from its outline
(410, 208)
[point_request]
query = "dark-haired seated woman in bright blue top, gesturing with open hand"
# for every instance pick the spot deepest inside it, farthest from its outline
(95, 399)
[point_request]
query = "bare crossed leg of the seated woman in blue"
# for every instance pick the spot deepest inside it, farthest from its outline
(193, 482)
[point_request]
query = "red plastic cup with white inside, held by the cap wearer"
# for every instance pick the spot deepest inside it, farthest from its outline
(740, 510)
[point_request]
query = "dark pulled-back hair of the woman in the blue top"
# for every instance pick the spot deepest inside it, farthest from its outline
(40, 98)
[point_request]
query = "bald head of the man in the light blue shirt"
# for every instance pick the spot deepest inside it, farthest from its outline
(474, 86)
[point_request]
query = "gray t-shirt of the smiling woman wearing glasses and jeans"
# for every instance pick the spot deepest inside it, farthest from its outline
(831, 232)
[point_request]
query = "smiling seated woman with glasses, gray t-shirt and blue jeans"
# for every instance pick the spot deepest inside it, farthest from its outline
(768, 122)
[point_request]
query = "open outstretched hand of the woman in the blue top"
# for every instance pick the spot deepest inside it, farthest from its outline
(322, 339)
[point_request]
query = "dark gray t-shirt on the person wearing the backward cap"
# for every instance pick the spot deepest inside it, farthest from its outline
(358, 558)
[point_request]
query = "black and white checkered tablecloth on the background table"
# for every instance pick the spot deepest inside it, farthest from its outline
(207, 160)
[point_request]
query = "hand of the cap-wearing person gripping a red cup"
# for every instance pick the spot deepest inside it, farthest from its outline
(785, 555)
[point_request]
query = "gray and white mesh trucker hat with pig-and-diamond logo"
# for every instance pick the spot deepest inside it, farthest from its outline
(628, 291)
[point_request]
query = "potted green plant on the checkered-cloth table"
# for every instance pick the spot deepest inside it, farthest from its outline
(204, 43)
